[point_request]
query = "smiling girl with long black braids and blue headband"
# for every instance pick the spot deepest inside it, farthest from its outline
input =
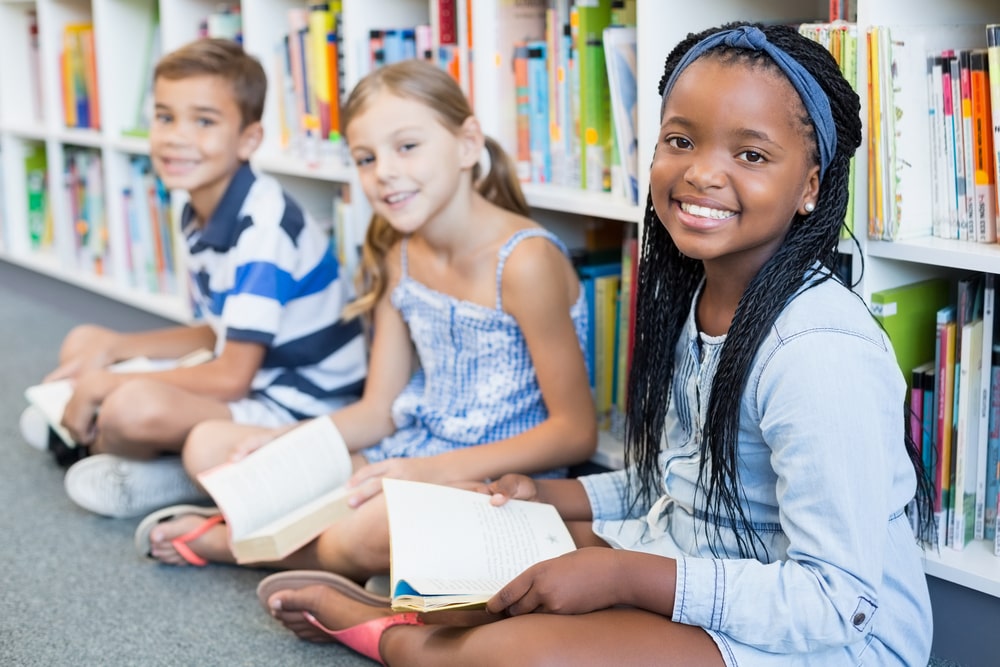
(761, 518)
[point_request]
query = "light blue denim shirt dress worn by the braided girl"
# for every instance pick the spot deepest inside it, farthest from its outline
(825, 478)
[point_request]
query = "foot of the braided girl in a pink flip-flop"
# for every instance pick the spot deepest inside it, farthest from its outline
(307, 611)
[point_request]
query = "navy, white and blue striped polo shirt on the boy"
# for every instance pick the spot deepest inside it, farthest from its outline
(262, 271)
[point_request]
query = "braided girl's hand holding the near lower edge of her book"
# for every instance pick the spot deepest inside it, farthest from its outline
(578, 582)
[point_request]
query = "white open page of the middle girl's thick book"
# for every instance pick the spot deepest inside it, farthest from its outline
(283, 475)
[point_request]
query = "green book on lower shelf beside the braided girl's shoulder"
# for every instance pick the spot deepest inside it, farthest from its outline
(908, 315)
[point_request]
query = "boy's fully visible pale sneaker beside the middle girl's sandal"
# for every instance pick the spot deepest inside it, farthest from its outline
(122, 488)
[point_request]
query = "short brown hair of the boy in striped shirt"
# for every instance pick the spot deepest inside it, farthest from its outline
(225, 59)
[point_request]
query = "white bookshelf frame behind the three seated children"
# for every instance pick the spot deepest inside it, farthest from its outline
(123, 28)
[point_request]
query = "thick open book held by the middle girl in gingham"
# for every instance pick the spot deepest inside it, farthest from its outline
(284, 494)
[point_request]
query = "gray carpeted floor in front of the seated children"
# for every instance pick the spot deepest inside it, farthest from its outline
(72, 589)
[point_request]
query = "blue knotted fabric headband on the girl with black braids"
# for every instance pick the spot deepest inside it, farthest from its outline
(815, 100)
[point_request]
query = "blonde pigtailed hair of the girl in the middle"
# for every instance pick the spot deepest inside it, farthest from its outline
(433, 87)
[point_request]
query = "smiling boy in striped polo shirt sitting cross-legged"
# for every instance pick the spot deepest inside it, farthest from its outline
(262, 276)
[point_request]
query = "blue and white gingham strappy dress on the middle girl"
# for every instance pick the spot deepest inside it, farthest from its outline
(476, 383)
